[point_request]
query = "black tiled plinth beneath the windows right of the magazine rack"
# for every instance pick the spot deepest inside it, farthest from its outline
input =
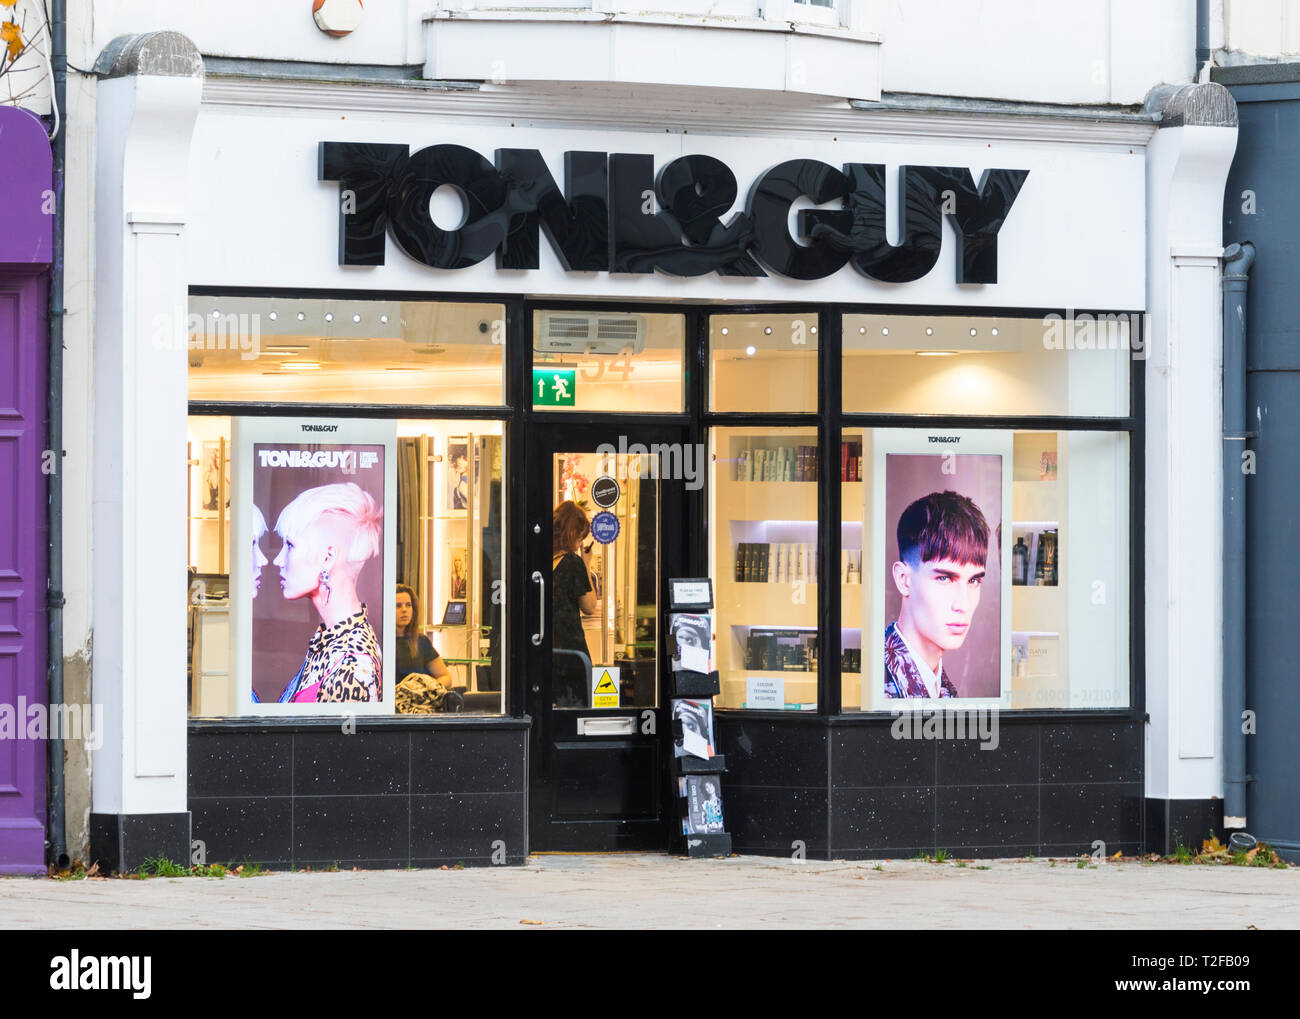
(1047, 788)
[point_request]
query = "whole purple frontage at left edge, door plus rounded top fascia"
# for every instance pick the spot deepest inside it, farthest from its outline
(25, 252)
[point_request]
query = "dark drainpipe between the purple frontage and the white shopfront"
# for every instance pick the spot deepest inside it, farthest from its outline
(58, 832)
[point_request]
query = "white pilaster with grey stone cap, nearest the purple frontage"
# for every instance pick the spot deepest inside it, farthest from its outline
(148, 109)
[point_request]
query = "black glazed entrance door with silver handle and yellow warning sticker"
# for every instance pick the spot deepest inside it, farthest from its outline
(604, 536)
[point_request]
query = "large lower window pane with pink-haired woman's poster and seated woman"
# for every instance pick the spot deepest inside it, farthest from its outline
(345, 567)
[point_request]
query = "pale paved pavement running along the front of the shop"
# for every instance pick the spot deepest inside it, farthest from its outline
(639, 891)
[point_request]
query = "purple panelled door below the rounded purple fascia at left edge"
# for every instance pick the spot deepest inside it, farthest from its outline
(23, 570)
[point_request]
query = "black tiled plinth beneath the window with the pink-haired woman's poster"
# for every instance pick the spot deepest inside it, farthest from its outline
(387, 796)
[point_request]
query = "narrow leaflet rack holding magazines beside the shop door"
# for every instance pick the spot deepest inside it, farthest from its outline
(696, 780)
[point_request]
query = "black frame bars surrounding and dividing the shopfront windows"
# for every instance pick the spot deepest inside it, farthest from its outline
(518, 417)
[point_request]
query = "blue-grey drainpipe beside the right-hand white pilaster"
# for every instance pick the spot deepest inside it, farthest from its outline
(1237, 437)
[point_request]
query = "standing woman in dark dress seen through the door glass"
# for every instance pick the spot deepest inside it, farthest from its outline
(573, 596)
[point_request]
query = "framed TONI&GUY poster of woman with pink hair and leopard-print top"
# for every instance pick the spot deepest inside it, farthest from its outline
(311, 627)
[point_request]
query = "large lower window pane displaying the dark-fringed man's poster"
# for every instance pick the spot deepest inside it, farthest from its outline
(991, 567)
